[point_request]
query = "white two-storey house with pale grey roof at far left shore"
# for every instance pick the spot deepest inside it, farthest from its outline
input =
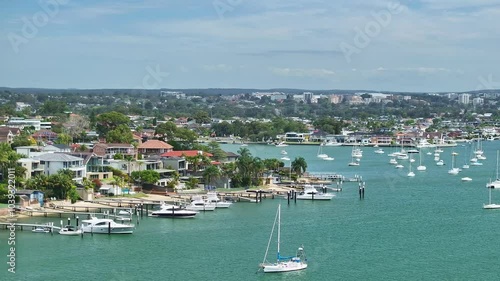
(53, 162)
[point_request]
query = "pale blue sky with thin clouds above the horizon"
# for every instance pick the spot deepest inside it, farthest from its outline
(379, 45)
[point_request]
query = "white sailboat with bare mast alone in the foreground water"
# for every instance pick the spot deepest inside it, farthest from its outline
(283, 264)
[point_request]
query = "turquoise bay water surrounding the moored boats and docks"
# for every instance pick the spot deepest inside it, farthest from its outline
(431, 227)
